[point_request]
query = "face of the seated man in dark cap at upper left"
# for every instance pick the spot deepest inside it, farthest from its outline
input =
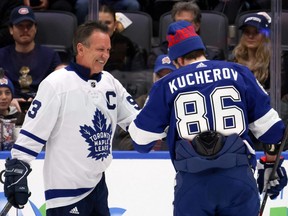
(23, 32)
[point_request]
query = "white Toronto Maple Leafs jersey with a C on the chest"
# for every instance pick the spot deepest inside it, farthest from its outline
(74, 117)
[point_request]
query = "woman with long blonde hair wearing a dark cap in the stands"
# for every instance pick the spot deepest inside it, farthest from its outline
(254, 47)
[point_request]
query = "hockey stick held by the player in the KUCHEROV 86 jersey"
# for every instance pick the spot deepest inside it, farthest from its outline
(272, 175)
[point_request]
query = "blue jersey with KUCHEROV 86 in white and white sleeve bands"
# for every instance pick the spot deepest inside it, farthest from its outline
(206, 95)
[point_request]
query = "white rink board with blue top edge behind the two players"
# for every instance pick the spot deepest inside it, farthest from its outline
(139, 185)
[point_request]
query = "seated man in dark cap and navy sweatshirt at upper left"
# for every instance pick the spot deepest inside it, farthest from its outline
(25, 62)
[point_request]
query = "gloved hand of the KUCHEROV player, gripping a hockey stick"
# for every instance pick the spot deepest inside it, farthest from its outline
(275, 185)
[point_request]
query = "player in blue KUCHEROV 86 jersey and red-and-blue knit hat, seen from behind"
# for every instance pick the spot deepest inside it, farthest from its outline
(205, 109)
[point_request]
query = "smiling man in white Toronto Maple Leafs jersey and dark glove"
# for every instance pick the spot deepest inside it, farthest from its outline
(74, 115)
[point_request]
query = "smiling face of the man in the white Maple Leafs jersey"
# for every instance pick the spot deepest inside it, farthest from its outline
(94, 52)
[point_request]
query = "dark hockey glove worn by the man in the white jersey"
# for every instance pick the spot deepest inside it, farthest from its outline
(15, 185)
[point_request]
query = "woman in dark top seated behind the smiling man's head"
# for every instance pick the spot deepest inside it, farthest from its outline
(125, 55)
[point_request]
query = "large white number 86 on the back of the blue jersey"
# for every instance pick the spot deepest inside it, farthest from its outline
(191, 111)
